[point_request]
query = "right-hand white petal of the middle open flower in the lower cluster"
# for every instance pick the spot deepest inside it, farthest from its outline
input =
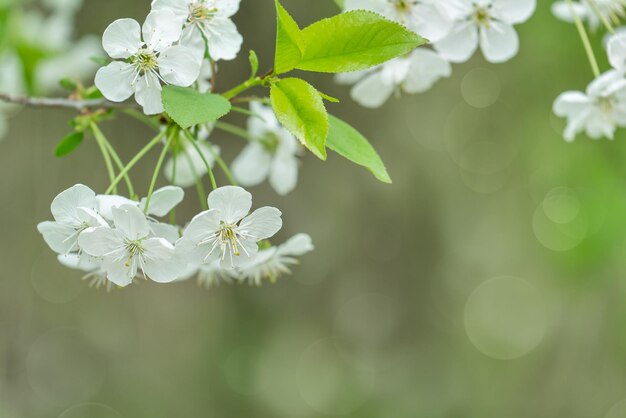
(160, 263)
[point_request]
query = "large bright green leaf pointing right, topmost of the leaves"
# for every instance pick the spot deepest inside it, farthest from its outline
(353, 41)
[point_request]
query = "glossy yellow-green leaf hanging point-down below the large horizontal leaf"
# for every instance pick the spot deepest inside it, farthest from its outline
(300, 108)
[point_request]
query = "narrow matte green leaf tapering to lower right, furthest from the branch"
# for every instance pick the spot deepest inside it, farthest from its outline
(349, 143)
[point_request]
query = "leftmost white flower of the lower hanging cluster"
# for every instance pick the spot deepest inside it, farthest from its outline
(74, 211)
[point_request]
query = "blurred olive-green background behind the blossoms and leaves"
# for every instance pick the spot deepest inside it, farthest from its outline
(487, 281)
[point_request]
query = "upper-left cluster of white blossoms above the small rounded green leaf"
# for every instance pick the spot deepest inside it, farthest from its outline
(177, 40)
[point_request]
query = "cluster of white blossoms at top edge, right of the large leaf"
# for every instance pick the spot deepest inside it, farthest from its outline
(456, 29)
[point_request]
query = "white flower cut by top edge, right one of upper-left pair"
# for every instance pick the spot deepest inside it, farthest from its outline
(206, 19)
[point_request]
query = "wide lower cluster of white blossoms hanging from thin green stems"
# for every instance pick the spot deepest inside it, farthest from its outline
(116, 240)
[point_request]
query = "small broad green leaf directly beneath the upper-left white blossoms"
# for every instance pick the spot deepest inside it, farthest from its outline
(187, 107)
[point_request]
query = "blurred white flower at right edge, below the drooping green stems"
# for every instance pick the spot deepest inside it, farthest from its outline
(598, 111)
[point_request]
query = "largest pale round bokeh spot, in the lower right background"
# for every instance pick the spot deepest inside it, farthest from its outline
(506, 318)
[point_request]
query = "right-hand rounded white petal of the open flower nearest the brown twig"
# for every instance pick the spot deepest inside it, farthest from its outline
(178, 66)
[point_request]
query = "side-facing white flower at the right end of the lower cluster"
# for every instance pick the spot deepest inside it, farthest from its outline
(274, 261)
